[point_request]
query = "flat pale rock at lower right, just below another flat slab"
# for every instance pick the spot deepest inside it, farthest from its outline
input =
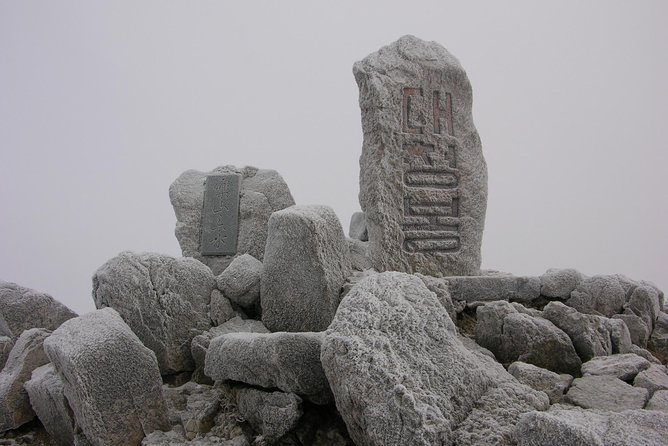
(605, 393)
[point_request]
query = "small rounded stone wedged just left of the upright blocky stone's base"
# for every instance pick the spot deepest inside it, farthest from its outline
(240, 282)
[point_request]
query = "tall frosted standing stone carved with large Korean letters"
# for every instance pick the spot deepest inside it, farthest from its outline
(423, 178)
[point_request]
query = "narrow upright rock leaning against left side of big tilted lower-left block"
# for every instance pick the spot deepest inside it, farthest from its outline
(47, 399)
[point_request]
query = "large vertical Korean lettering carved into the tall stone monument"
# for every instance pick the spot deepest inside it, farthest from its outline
(430, 176)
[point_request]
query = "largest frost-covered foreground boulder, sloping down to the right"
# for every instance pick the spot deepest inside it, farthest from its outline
(401, 376)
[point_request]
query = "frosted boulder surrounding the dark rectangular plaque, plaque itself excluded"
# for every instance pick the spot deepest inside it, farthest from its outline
(261, 192)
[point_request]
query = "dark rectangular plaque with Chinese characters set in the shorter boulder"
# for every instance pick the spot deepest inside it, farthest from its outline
(220, 215)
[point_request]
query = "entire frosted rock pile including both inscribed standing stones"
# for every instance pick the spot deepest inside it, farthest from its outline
(274, 328)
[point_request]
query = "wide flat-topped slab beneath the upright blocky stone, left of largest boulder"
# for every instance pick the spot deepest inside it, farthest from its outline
(287, 361)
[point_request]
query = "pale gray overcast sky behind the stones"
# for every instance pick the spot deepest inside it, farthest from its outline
(104, 104)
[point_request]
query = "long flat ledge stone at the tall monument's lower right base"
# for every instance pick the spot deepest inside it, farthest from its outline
(491, 288)
